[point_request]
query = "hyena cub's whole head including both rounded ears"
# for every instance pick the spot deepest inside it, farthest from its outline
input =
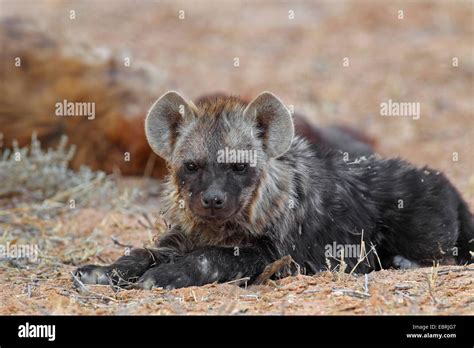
(218, 150)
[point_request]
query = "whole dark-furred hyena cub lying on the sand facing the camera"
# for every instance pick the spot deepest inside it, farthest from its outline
(244, 191)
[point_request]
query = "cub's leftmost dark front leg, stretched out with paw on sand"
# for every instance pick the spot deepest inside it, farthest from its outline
(126, 269)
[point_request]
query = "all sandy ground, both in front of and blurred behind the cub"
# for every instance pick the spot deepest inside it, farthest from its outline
(301, 60)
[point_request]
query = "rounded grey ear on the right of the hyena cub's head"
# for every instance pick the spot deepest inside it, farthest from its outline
(273, 119)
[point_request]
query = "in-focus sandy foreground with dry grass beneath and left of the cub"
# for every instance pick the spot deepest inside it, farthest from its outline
(45, 287)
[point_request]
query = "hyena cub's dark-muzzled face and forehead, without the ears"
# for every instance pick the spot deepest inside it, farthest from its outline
(214, 165)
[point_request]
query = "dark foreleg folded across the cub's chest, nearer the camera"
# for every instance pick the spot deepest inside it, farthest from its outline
(204, 266)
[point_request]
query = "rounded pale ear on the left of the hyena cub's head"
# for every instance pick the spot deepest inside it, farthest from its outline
(163, 122)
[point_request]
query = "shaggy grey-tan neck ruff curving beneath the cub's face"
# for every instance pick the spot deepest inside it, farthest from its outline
(275, 202)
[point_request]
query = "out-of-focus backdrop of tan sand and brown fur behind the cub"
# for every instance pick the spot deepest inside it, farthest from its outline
(334, 61)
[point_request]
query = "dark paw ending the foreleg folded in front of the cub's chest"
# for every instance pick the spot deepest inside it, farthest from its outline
(167, 276)
